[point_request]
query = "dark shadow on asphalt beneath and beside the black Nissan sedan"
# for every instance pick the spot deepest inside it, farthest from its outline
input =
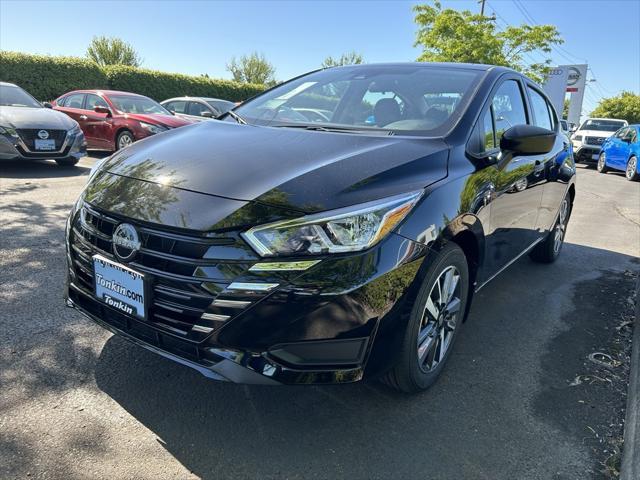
(490, 415)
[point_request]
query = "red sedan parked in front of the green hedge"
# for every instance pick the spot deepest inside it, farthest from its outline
(111, 120)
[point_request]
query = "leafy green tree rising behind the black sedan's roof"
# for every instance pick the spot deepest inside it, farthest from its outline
(448, 35)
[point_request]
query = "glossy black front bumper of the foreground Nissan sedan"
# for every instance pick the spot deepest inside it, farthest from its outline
(335, 323)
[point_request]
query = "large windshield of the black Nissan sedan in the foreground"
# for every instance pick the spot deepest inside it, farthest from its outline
(406, 99)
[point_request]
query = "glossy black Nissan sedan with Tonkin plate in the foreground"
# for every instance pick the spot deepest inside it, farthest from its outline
(280, 247)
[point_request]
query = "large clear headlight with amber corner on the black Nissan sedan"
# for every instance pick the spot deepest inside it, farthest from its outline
(345, 230)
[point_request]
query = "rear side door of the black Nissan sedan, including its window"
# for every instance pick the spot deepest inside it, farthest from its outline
(546, 167)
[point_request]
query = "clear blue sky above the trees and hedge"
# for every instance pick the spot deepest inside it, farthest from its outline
(197, 37)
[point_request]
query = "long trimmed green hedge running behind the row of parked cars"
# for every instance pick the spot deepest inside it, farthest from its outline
(46, 78)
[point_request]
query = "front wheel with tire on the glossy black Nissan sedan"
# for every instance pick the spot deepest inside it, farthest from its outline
(420, 363)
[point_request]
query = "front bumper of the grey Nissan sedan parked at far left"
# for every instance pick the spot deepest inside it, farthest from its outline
(14, 148)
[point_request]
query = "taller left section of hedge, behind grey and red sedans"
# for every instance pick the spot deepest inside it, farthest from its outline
(46, 78)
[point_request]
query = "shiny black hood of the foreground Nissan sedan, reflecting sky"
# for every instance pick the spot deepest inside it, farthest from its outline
(307, 171)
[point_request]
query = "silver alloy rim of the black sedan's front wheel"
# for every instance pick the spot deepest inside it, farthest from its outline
(439, 319)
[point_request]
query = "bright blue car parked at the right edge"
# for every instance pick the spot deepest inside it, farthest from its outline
(621, 152)
